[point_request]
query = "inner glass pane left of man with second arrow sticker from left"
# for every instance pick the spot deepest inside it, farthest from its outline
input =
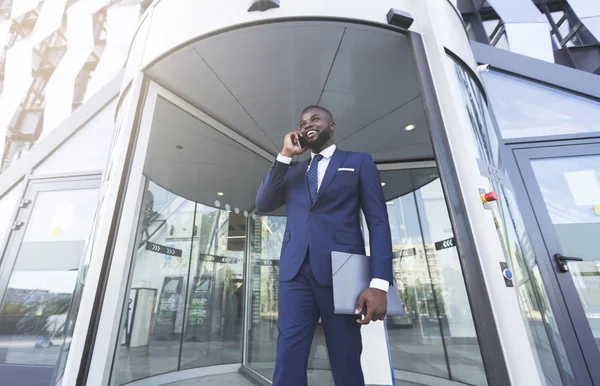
(213, 326)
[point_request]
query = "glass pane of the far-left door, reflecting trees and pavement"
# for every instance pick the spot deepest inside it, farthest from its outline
(35, 307)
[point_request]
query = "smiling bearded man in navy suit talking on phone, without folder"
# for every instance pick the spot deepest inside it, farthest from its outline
(323, 198)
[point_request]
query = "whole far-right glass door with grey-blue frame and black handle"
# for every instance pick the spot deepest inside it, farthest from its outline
(564, 189)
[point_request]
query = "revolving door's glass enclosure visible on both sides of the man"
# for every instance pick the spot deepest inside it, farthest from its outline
(187, 291)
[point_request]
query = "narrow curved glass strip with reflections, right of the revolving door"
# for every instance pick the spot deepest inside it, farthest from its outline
(547, 345)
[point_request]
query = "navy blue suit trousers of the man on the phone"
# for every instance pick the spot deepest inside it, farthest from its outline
(302, 301)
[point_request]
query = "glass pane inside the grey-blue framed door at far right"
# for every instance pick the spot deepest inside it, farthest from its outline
(571, 190)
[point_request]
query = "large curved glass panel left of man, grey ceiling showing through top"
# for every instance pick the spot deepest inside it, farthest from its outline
(184, 308)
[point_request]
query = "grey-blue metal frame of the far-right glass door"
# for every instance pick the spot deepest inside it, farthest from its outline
(570, 317)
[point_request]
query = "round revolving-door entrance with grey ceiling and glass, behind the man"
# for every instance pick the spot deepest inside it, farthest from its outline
(199, 286)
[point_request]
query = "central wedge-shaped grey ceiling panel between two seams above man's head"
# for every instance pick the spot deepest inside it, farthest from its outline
(293, 57)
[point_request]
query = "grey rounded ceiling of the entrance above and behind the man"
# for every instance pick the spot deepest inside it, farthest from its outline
(257, 80)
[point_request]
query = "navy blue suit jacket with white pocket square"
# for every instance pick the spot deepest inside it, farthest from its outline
(332, 223)
